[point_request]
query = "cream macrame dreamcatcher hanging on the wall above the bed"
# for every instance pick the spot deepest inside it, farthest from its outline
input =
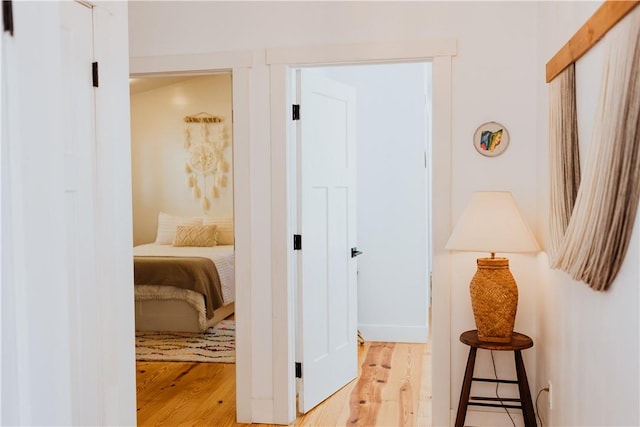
(205, 141)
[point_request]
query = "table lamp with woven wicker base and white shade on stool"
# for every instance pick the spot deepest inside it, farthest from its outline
(492, 223)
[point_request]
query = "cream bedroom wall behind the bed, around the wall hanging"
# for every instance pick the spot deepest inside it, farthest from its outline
(158, 155)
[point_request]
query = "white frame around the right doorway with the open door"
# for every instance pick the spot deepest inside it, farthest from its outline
(284, 177)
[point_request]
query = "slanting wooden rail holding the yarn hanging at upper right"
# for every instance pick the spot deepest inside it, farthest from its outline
(605, 18)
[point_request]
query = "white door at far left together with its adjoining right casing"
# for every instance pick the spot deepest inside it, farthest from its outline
(58, 368)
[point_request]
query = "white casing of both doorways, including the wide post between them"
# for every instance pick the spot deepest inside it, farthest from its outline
(277, 312)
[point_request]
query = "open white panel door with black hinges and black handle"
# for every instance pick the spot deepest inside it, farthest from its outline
(327, 300)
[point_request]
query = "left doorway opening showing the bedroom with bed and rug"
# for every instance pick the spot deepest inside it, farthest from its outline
(182, 177)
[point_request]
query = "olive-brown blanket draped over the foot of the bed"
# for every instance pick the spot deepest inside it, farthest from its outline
(194, 273)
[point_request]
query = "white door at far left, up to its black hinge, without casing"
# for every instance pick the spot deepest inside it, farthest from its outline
(49, 182)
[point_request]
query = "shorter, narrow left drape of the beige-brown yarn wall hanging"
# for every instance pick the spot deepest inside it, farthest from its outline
(564, 156)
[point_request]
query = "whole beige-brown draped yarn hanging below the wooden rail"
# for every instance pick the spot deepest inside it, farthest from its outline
(590, 231)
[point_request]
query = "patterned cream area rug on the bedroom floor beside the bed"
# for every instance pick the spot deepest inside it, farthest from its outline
(216, 345)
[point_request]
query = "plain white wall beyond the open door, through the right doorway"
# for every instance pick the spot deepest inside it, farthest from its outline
(391, 138)
